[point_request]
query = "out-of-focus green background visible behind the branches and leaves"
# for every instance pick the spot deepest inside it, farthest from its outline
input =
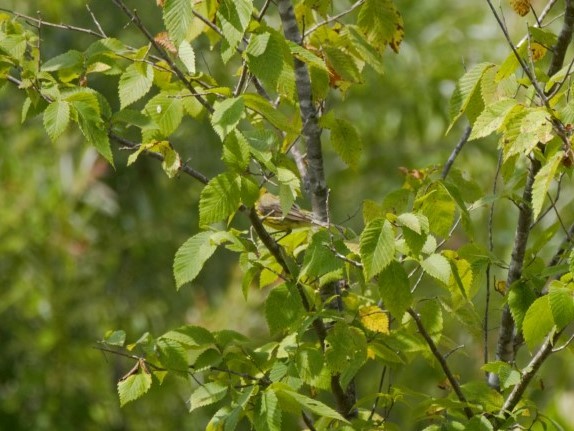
(85, 248)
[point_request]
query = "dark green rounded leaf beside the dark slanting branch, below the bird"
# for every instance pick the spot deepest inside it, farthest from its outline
(283, 307)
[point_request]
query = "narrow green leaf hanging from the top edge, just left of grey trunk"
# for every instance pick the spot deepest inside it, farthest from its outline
(233, 16)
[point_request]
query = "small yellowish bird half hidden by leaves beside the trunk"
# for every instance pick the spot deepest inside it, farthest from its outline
(268, 207)
